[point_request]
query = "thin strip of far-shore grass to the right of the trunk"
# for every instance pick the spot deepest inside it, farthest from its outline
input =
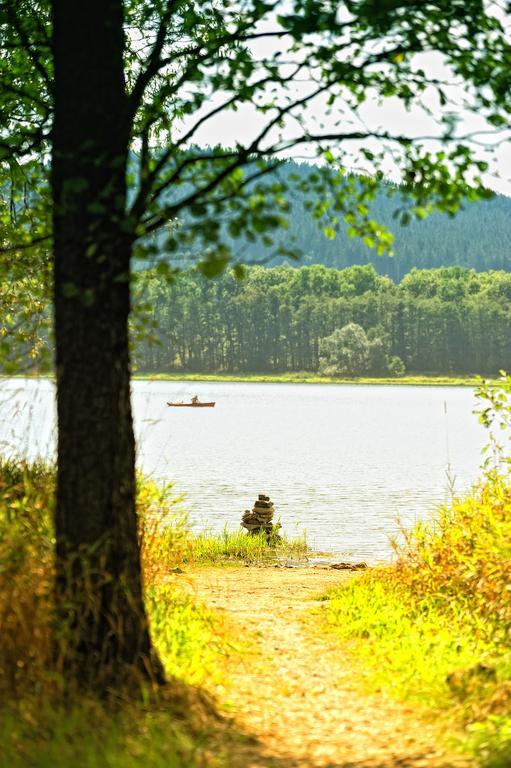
(304, 377)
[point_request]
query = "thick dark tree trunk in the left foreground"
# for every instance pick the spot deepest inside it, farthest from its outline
(99, 585)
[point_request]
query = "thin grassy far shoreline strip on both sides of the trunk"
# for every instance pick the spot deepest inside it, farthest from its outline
(297, 378)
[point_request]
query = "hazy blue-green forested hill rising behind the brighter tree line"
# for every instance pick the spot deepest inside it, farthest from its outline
(479, 236)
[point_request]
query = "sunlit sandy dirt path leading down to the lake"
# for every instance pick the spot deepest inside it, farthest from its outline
(295, 696)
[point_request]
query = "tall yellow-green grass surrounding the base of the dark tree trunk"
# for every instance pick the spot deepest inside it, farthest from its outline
(167, 729)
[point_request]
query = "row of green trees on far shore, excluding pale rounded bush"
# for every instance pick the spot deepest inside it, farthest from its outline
(450, 320)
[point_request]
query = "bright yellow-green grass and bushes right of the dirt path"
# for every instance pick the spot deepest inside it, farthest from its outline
(435, 627)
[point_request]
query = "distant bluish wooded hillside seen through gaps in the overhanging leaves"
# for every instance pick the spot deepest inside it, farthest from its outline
(478, 236)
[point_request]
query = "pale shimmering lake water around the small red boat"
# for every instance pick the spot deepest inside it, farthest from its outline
(341, 462)
